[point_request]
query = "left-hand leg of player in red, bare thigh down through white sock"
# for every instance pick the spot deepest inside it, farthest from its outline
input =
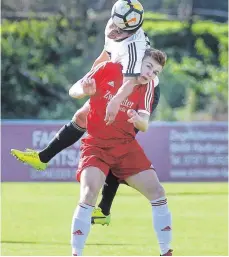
(91, 181)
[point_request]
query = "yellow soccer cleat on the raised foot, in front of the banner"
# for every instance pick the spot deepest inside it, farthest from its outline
(29, 157)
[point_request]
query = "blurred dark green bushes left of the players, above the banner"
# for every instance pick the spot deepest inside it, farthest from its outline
(40, 60)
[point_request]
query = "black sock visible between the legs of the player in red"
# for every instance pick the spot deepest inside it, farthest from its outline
(108, 193)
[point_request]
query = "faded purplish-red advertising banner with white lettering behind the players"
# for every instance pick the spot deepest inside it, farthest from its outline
(195, 151)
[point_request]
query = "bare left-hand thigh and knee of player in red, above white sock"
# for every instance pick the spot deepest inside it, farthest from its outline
(91, 181)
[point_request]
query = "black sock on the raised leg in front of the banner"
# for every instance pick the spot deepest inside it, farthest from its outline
(66, 136)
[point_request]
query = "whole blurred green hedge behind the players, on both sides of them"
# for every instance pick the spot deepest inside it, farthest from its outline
(41, 59)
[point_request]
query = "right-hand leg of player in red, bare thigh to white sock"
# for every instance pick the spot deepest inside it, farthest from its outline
(147, 183)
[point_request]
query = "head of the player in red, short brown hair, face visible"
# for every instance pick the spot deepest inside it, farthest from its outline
(152, 64)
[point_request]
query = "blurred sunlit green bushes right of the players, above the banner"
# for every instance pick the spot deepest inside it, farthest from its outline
(196, 71)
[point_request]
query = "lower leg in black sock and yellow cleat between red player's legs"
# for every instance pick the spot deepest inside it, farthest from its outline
(101, 215)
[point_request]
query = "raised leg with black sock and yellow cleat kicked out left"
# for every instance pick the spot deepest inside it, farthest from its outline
(66, 136)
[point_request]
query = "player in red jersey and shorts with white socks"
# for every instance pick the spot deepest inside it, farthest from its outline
(114, 146)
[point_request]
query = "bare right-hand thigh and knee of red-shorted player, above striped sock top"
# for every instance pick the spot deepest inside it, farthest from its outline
(147, 183)
